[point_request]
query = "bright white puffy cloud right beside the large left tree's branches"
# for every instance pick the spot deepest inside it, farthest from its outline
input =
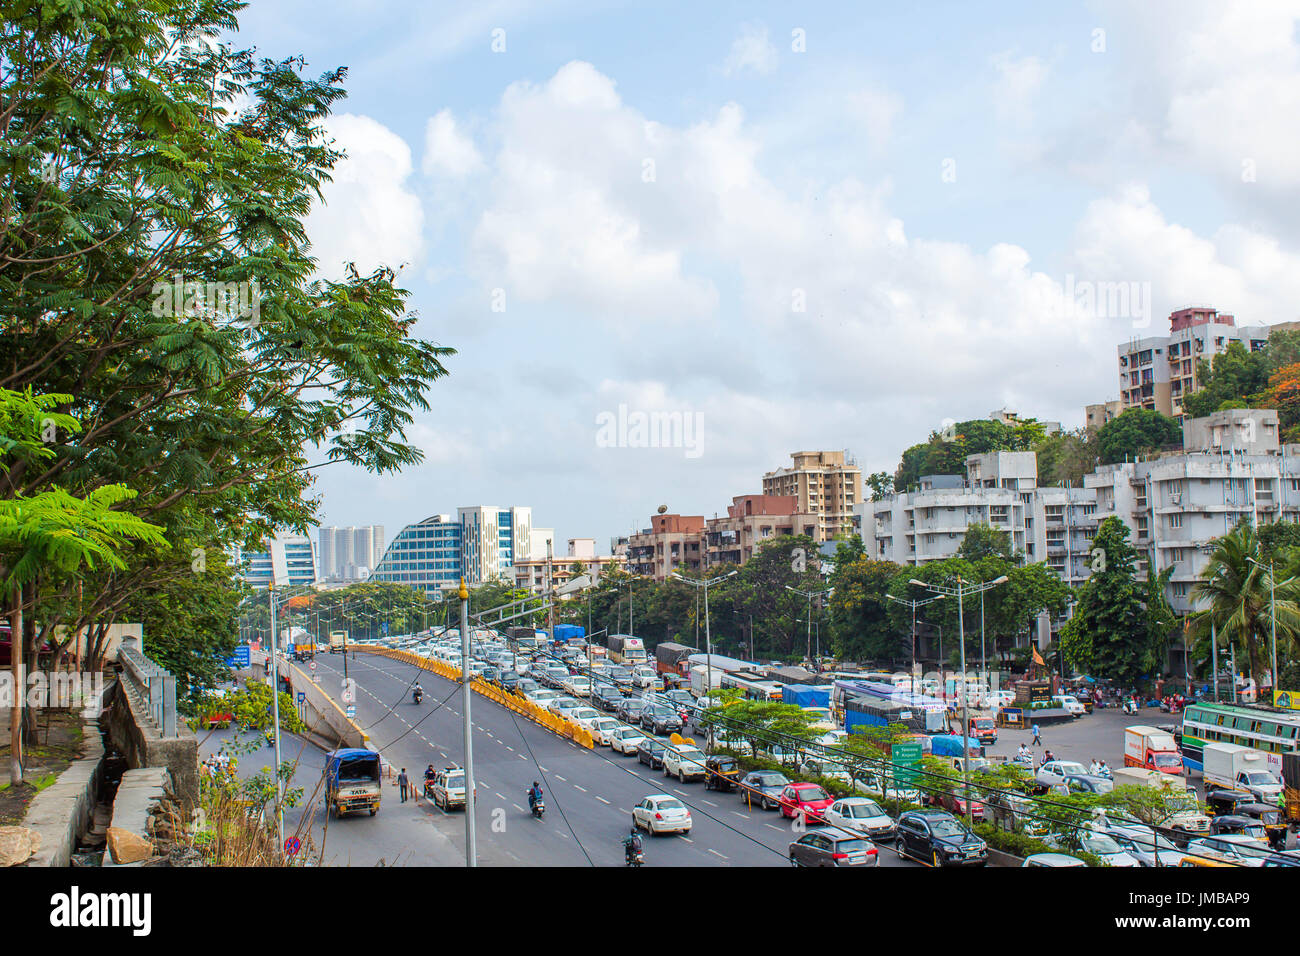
(370, 215)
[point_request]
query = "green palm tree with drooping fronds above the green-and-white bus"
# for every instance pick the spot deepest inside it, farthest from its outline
(1237, 591)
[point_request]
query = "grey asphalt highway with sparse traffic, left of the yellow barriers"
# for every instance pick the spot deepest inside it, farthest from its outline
(590, 794)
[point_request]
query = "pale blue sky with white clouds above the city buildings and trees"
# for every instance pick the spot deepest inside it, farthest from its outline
(792, 230)
